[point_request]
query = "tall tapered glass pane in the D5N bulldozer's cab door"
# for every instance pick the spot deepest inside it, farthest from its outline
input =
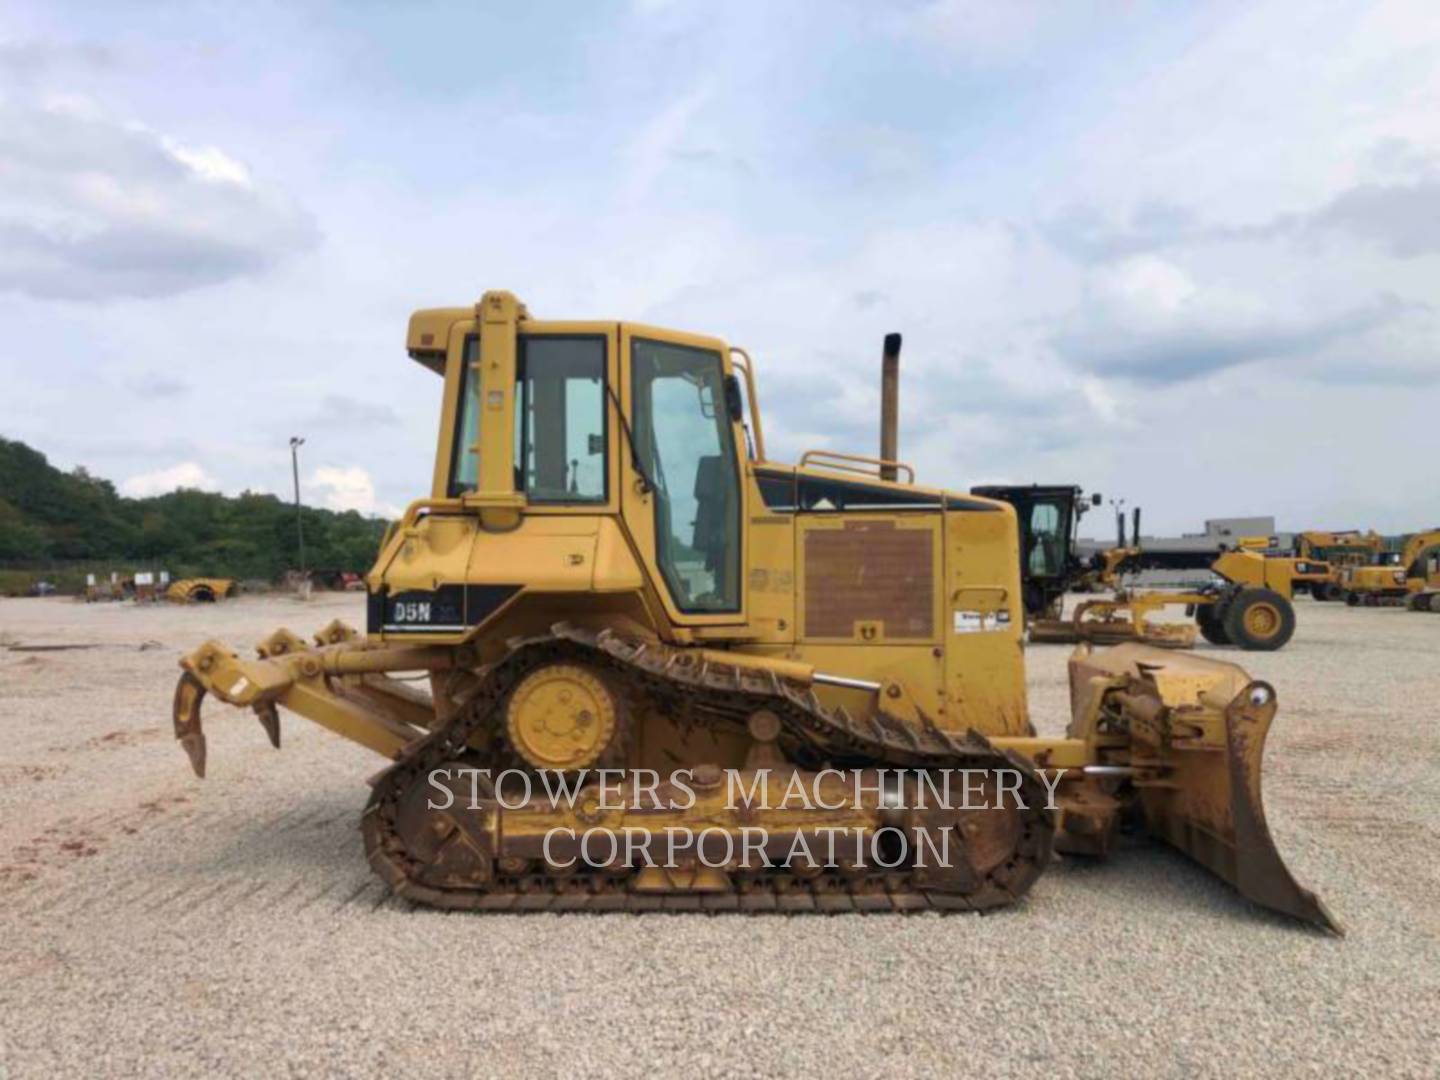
(686, 446)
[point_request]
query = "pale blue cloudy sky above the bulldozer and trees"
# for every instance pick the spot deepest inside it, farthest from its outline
(1187, 256)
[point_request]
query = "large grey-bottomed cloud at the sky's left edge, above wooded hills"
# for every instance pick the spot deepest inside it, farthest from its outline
(97, 208)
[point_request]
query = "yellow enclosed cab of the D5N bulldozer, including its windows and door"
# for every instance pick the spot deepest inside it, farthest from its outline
(594, 457)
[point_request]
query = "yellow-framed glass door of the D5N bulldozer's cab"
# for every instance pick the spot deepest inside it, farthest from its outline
(682, 492)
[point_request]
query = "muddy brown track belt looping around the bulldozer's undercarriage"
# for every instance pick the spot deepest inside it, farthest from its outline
(721, 695)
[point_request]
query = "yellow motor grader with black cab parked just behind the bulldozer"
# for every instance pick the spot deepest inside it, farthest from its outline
(1249, 603)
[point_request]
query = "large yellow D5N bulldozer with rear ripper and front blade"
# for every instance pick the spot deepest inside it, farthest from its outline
(610, 577)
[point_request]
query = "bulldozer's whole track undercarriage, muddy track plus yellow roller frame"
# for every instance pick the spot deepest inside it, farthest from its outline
(477, 855)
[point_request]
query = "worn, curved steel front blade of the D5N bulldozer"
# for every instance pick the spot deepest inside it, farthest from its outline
(1197, 745)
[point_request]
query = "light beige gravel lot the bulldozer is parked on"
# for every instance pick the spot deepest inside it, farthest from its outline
(156, 924)
